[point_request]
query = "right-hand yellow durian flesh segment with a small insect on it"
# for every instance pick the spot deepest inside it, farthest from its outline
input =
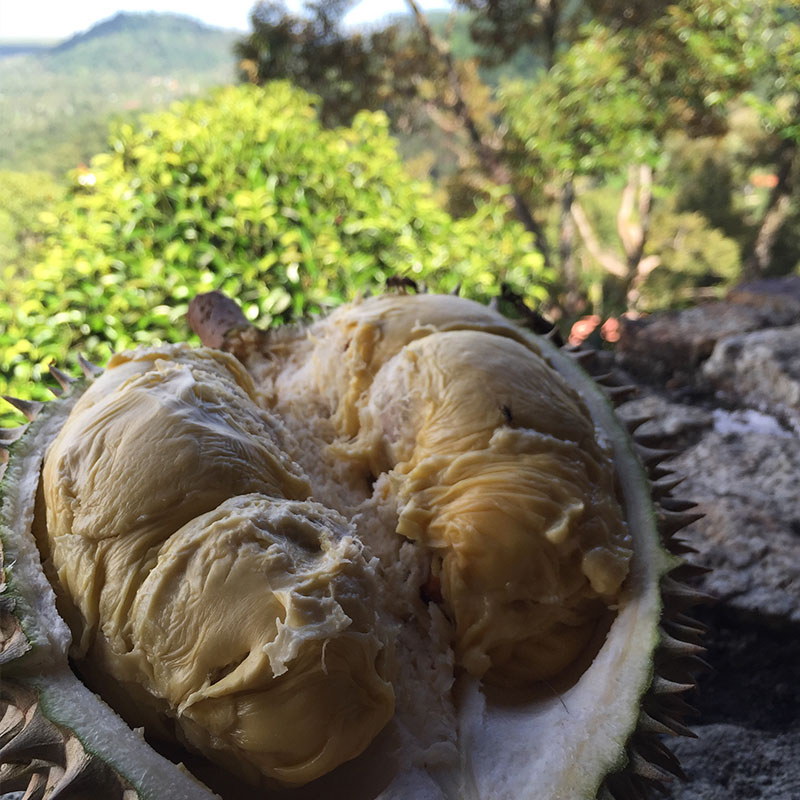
(494, 466)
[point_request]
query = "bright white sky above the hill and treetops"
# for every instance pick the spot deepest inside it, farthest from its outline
(56, 19)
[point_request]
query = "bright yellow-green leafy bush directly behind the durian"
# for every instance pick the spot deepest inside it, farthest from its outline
(247, 193)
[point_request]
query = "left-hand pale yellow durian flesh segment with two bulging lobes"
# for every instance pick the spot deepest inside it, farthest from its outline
(200, 571)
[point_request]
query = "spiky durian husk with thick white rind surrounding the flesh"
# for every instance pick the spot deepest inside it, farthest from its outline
(57, 739)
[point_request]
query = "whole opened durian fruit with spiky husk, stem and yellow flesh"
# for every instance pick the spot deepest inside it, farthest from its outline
(406, 552)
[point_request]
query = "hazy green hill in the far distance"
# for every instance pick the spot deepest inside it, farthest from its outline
(56, 101)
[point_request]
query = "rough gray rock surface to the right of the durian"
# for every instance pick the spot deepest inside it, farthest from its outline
(733, 415)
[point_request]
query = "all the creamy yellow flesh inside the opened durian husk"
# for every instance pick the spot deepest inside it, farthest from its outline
(251, 546)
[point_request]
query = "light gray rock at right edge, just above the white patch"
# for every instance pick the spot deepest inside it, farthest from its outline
(760, 369)
